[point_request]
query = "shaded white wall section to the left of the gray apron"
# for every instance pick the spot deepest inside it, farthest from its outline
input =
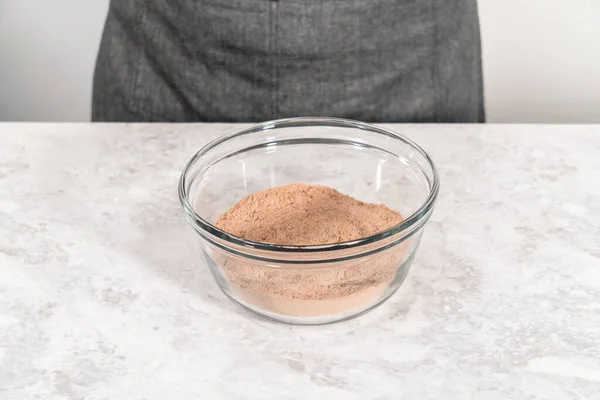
(47, 55)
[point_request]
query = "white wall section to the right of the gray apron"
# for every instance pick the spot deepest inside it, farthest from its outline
(541, 60)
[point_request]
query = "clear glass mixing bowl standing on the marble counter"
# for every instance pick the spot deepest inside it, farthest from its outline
(322, 283)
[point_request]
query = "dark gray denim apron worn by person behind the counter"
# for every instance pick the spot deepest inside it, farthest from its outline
(256, 60)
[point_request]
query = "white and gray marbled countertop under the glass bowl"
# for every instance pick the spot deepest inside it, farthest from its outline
(101, 299)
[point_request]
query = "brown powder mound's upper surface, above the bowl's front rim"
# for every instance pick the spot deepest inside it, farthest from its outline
(302, 214)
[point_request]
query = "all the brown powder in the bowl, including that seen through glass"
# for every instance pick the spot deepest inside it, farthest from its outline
(302, 214)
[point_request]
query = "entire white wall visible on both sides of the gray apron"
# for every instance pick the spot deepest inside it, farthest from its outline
(541, 59)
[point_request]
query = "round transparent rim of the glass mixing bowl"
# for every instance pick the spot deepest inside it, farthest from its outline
(422, 212)
